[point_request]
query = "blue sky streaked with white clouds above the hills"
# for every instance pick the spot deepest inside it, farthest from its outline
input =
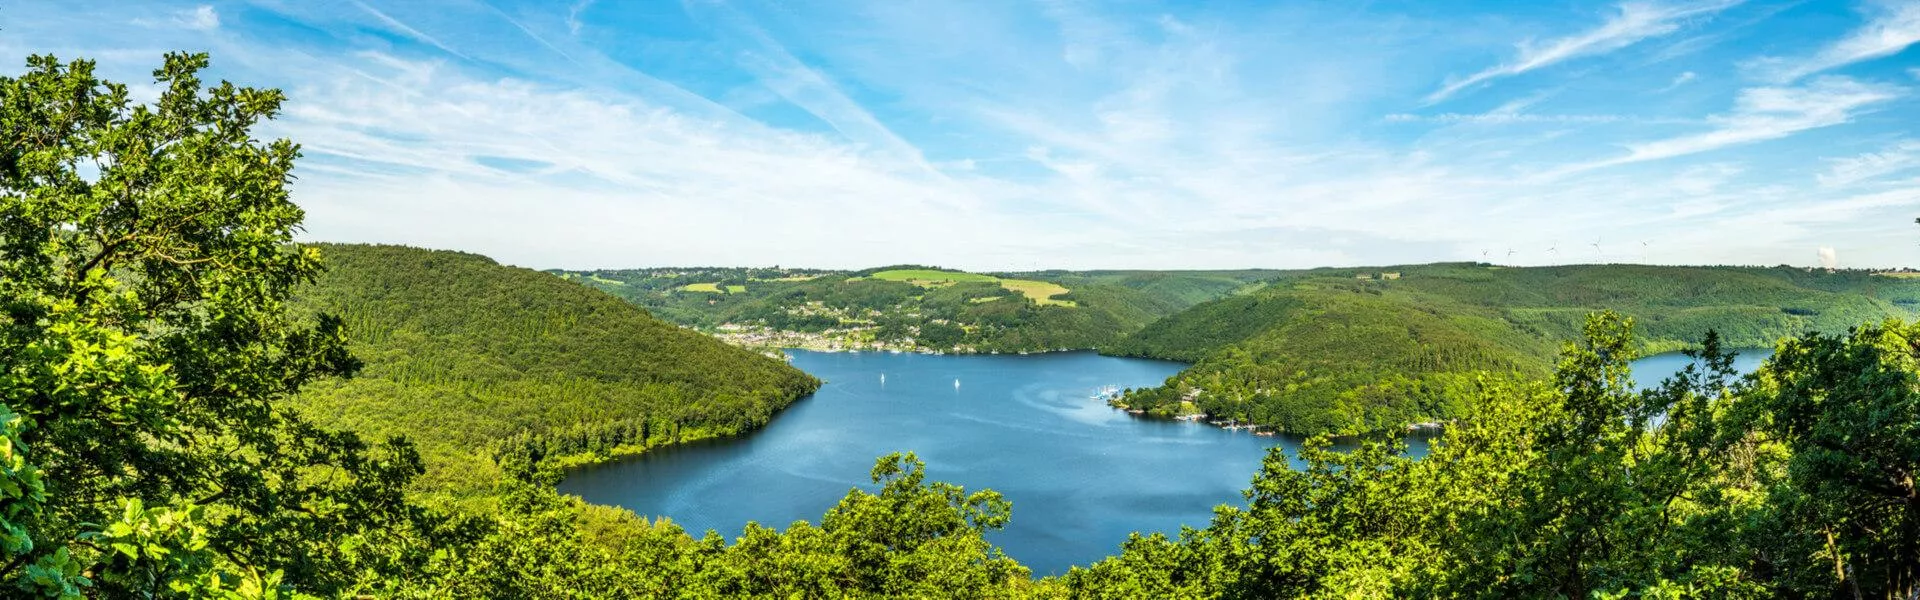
(1053, 134)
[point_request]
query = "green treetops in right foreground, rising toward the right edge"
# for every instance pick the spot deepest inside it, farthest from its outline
(1783, 486)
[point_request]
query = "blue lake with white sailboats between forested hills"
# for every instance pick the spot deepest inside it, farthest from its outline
(1080, 474)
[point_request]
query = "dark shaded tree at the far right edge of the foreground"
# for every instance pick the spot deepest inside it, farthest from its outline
(1850, 412)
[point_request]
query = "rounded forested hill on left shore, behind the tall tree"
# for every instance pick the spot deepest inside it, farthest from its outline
(464, 355)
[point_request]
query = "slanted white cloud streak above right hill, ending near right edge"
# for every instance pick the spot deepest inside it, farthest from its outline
(1767, 114)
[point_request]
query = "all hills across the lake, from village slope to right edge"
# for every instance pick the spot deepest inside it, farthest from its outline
(1314, 351)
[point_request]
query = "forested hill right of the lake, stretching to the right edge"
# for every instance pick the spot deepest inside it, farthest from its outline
(1349, 351)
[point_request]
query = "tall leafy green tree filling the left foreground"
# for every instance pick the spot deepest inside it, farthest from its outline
(145, 349)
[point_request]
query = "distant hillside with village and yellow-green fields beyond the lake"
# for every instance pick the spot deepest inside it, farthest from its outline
(915, 307)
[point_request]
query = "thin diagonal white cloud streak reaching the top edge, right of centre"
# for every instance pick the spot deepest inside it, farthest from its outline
(1633, 24)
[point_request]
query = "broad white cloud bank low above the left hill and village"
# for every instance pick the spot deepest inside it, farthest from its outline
(396, 143)
